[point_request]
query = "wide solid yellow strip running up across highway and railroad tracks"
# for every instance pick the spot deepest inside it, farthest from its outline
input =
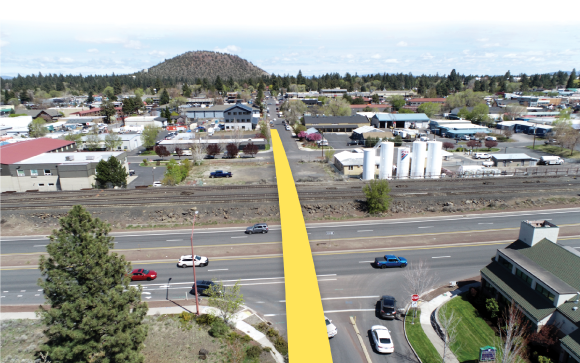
(307, 335)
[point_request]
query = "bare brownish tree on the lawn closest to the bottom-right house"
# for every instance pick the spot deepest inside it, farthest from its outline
(513, 332)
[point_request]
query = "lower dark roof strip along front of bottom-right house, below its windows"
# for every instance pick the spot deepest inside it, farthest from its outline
(529, 300)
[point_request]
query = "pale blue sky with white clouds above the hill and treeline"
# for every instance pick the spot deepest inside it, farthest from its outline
(419, 37)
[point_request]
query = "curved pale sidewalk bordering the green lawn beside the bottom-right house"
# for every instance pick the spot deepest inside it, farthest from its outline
(429, 323)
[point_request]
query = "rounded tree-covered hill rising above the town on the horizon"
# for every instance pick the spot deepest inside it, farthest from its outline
(205, 64)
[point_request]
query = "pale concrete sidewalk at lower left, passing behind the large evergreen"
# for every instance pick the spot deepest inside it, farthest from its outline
(239, 321)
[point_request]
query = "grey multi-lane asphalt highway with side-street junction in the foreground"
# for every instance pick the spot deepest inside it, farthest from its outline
(349, 284)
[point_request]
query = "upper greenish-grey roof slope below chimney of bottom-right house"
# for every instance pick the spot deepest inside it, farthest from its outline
(559, 260)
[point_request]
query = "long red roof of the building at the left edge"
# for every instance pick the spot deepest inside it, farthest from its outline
(13, 153)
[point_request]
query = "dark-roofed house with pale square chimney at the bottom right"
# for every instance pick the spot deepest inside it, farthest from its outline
(543, 278)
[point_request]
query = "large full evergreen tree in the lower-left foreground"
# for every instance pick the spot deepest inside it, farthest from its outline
(95, 315)
